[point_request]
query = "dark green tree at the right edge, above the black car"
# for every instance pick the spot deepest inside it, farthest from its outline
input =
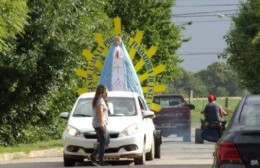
(243, 51)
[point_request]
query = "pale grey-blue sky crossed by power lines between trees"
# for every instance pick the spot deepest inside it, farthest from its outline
(211, 20)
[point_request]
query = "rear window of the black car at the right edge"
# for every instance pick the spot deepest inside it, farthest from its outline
(251, 115)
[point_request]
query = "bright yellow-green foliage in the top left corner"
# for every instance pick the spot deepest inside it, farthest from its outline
(13, 17)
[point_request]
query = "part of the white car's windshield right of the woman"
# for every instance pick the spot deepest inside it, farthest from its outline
(122, 106)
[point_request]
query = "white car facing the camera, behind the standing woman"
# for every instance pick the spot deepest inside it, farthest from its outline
(131, 129)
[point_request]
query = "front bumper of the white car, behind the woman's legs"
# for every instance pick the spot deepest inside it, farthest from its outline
(121, 147)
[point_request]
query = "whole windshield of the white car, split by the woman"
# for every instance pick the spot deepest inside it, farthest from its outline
(118, 106)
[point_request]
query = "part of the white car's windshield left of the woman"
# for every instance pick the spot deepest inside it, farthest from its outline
(83, 108)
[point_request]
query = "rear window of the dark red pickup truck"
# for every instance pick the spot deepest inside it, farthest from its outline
(168, 101)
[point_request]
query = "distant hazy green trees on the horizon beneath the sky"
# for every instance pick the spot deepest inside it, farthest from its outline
(218, 79)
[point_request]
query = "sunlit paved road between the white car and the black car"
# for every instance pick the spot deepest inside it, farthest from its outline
(176, 152)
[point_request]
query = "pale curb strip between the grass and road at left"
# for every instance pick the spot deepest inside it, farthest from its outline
(54, 152)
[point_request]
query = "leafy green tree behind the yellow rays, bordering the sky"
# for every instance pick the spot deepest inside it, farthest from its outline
(154, 18)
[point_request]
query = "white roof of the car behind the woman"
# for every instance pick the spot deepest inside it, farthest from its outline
(111, 94)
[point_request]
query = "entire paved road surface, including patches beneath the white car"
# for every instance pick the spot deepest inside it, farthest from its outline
(175, 154)
